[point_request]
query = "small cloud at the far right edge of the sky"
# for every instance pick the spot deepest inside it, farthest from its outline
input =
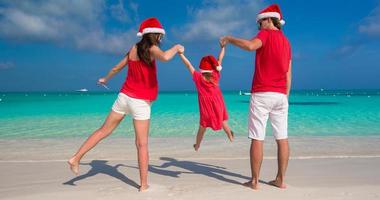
(371, 25)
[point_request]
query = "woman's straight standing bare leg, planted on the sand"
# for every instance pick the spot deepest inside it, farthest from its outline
(141, 135)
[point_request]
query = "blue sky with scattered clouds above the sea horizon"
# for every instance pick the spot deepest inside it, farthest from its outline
(64, 45)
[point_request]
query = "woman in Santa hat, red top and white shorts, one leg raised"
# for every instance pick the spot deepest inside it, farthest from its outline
(138, 91)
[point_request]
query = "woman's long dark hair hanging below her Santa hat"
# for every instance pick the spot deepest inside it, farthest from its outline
(147, 41)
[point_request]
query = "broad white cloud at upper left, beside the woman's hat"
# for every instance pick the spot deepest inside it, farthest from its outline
(73, 22)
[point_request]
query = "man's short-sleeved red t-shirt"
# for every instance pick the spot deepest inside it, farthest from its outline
(272, 62)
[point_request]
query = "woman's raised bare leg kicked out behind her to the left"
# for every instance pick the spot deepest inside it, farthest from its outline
(112, 121)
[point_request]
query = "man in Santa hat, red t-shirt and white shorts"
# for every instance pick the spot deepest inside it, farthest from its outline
(270, 91)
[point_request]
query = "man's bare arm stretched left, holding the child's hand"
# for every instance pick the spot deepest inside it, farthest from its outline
(249, 45)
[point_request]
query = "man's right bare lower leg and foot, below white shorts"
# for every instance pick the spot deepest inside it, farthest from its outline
(282, 159)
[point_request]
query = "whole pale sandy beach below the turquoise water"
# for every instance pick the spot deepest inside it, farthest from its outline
(320, 168)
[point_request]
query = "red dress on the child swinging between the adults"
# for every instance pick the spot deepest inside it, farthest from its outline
(211, 104)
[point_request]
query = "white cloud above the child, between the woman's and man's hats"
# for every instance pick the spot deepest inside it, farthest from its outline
(220, 17)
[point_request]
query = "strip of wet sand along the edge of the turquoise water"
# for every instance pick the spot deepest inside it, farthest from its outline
(119, 147)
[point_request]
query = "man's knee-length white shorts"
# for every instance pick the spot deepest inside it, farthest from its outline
(268, 104)
